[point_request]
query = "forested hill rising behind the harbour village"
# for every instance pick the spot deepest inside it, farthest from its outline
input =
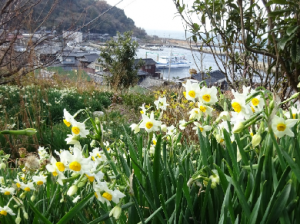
(75, 13)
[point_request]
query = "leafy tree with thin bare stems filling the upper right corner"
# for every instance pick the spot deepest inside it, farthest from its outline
(252, 36)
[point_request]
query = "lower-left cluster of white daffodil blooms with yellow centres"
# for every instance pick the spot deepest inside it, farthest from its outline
(76, 170)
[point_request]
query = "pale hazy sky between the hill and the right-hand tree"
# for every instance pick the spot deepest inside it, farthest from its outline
(151, 14)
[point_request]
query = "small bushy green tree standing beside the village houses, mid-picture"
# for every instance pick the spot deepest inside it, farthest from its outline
(118, 59)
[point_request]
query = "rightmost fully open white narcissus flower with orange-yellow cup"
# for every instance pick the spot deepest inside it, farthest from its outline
(282, 127)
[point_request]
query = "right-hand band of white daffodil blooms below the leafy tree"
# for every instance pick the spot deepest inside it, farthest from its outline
(250, 110)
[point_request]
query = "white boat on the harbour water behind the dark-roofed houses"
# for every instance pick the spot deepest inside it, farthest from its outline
(172, 62)
